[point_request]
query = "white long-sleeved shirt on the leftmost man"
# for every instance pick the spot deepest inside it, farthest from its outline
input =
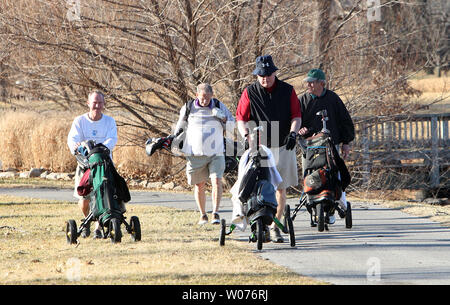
(101, 131)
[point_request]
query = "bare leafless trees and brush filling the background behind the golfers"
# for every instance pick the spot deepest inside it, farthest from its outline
(148, 56)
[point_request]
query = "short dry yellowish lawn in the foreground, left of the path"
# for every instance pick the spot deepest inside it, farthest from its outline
(173, 250)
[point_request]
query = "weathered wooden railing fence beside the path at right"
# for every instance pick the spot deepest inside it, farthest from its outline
(414, 141)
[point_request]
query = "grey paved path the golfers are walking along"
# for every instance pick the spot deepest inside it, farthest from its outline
(385, 246)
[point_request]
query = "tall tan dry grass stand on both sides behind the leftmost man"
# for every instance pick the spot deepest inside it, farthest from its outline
(28, 140)
